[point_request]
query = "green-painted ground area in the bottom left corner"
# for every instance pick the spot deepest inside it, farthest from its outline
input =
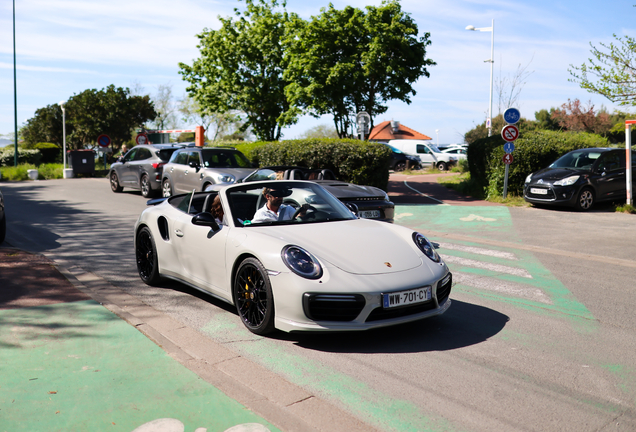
(77, 366)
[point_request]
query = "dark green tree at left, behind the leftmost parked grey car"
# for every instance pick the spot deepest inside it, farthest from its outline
(111, 111)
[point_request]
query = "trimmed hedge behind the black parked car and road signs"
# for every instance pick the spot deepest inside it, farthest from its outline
(533, 151)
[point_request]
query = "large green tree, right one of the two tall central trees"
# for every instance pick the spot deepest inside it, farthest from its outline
(351, 60)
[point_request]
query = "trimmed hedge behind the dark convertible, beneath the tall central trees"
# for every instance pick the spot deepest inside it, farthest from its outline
(353, 161)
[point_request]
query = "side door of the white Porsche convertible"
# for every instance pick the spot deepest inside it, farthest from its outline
(201, 253)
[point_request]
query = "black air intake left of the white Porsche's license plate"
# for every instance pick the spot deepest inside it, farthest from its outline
(333, 307)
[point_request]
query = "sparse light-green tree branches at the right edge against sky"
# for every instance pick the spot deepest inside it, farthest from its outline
(610, 72)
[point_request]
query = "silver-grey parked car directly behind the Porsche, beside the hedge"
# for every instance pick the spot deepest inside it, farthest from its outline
(196, 168)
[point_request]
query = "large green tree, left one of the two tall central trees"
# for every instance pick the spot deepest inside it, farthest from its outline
(240, 68)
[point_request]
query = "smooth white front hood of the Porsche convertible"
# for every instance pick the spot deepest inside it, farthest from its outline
(358, 246)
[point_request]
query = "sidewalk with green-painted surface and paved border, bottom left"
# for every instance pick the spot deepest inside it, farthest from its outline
(77, 354)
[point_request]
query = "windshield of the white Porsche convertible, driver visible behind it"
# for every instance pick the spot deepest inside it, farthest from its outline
(252, 204)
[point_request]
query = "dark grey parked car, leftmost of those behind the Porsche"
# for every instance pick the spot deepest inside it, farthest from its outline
(141, 168)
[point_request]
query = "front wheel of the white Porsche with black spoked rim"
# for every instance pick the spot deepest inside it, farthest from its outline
(253, 297)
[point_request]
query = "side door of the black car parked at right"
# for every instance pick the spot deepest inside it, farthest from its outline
(610, 175)
